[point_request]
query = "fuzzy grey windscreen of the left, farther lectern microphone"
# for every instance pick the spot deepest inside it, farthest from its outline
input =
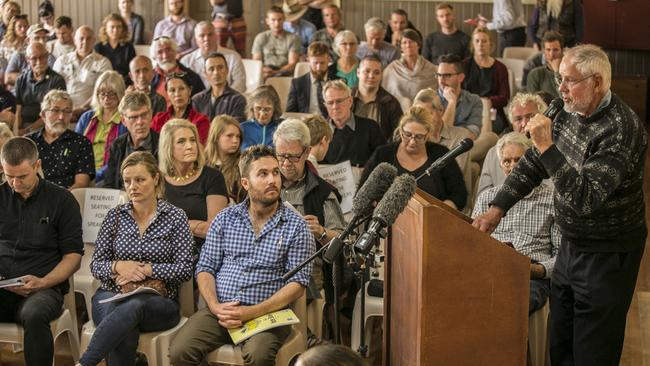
(373, 189)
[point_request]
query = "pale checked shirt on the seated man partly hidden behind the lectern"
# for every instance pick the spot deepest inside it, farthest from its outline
(529, 225)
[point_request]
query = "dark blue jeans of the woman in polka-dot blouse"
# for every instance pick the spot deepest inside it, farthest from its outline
(119, 325)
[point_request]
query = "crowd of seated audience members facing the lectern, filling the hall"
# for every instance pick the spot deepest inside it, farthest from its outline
(208, 165)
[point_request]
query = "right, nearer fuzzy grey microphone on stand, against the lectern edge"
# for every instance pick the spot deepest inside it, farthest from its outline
(393, 203)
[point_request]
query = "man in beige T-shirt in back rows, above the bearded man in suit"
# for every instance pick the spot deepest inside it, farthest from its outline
(278, 50)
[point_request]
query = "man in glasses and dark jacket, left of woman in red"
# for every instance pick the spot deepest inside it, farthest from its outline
(135, 109)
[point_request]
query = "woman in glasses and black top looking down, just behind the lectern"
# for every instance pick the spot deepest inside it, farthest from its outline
(413, 152)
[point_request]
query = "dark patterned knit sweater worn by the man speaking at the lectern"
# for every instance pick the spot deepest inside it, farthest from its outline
(597, 166)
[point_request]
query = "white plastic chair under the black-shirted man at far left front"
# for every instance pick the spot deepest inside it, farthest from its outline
(66, 323)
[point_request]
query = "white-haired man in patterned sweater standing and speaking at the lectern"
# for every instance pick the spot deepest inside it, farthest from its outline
(594, 152)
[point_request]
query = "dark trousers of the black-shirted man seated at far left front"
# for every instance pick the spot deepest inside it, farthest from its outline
(34, 313)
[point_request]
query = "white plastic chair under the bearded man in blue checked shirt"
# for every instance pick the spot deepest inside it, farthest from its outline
(295, 343)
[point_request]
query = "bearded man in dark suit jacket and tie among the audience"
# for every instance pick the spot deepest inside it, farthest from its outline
(306, 93)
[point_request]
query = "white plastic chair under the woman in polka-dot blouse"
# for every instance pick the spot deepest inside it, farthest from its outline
(155, 345)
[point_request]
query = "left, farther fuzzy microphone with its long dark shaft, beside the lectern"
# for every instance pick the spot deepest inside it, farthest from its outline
(373, 189)
